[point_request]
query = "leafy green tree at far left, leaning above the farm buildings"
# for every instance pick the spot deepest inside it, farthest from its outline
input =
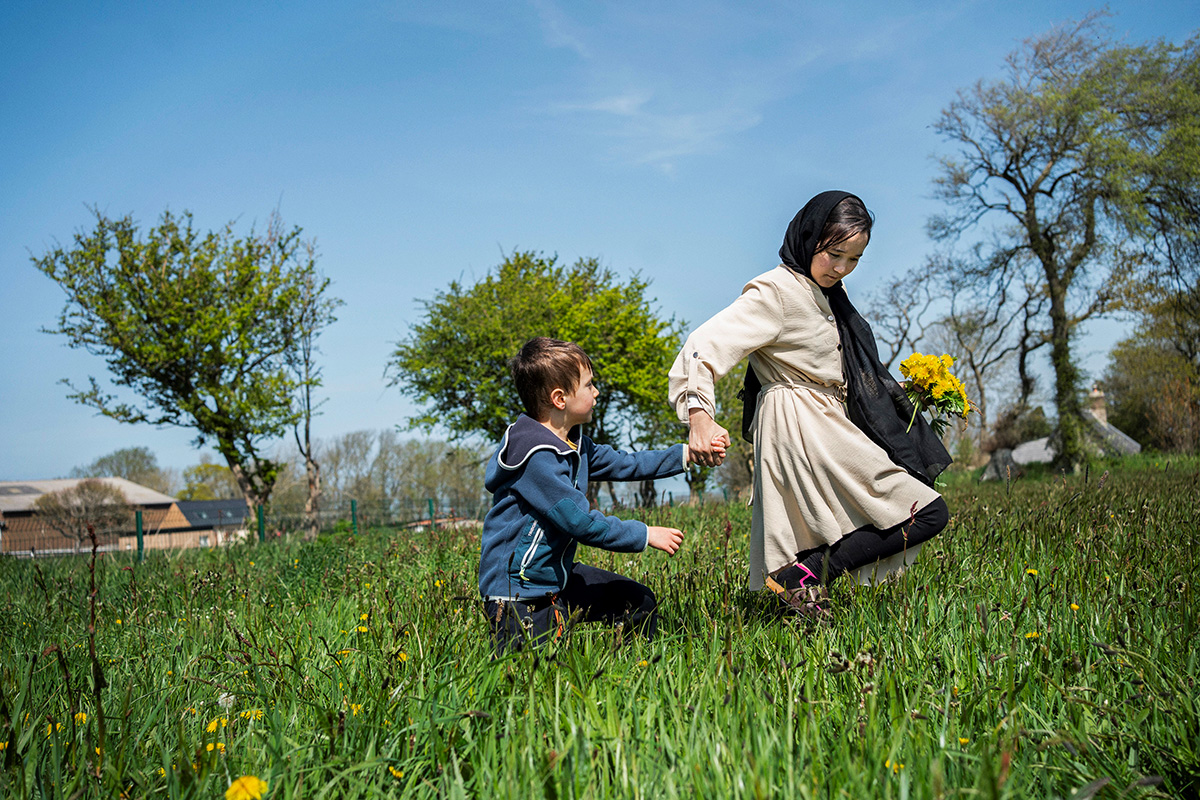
(200, 328)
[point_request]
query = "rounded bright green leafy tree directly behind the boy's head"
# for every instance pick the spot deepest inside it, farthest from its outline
(455, 360)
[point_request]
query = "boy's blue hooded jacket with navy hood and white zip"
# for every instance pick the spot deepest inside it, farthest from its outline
(541, 509)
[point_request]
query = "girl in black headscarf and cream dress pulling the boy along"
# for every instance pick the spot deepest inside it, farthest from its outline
(839, 483)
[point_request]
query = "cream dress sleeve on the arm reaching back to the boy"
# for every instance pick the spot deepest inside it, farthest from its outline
(753, 321)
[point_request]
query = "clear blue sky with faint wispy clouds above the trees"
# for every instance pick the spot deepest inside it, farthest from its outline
(422, 142)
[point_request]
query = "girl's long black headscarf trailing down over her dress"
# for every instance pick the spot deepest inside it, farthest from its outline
(875, 402)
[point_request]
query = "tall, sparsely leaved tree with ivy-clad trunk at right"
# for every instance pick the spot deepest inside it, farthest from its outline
(1067, 154)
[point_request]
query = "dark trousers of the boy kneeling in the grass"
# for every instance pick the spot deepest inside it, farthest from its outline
(592, 596)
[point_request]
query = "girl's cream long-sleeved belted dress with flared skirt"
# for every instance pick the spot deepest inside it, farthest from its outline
(818, 477)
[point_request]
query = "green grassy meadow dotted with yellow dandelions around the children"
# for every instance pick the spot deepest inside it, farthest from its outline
(1045, 646)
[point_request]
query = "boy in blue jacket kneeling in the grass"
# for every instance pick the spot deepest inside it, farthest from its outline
(539, 480)
